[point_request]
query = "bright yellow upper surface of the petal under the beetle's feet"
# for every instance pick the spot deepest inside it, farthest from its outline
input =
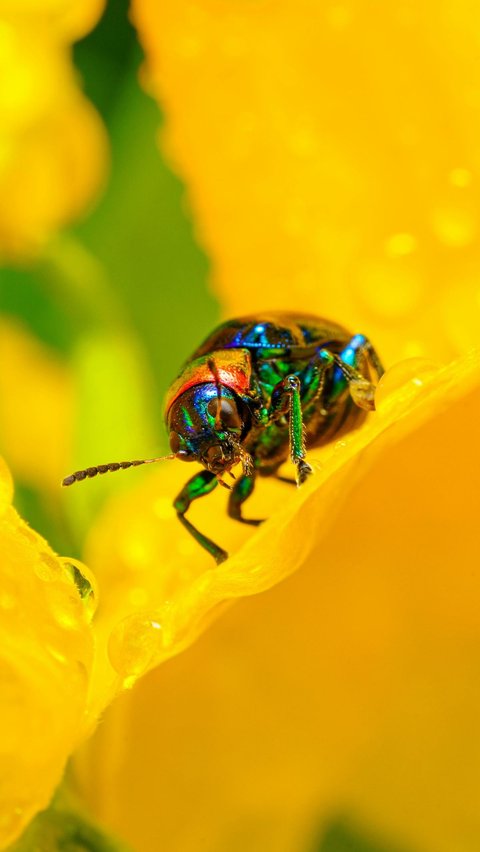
(156, 572)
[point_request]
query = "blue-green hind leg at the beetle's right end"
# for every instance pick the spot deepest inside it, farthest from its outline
(358, 352)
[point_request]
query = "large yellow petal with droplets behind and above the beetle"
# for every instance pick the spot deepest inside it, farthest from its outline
(331, 157)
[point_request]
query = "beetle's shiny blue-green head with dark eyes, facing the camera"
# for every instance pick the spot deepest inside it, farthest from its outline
(206, 424)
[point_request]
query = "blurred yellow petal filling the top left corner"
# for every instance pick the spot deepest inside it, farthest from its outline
(53, 151)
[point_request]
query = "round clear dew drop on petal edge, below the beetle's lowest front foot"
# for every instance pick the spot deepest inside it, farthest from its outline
(135, 644)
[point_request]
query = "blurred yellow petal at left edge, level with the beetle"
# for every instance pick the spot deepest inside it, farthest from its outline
(34, 385)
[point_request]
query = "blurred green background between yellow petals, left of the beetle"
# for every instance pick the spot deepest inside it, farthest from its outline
(122, 296)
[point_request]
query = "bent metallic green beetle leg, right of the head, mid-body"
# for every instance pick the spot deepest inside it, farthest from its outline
(286, 399)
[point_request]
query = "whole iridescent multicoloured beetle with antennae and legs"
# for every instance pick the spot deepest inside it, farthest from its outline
(261, 389)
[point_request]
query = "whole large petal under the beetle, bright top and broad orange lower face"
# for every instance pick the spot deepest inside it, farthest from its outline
(350, 688)
